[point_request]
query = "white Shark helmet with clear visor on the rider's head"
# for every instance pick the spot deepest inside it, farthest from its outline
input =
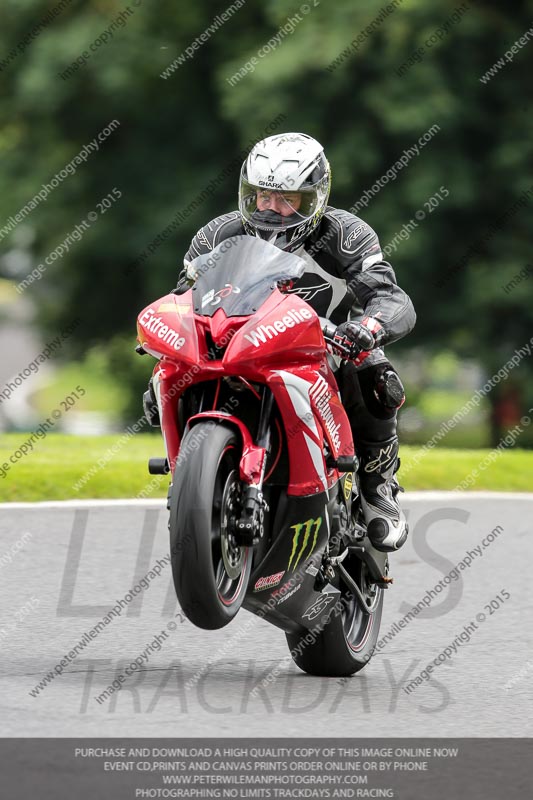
(284, 189)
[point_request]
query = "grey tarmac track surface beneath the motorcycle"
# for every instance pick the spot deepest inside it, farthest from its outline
(64, 565)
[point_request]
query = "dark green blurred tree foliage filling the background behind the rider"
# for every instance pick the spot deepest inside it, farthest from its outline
(177, 134)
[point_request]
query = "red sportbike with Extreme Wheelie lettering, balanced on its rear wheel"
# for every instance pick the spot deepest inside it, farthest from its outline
(264, 500)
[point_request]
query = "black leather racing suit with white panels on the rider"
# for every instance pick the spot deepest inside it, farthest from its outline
(347, 278)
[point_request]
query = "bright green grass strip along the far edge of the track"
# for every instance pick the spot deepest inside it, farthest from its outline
(62, 467)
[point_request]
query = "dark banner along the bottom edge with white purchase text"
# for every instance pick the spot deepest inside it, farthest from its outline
(125, 769)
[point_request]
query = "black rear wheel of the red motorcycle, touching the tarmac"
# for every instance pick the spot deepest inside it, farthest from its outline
(346, 642)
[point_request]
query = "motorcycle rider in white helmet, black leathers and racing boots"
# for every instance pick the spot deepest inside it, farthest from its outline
(283, 193)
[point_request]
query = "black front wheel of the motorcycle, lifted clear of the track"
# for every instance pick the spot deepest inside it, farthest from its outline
(210, 571)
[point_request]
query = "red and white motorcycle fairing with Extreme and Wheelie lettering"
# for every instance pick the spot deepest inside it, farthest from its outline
(281, 345)
